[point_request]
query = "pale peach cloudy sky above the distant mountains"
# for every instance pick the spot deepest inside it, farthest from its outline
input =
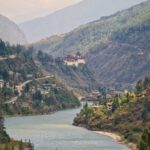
(23, 10)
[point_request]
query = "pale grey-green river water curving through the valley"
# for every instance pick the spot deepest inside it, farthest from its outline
(55, 132)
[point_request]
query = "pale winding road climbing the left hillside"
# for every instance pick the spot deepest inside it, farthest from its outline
(14, 99)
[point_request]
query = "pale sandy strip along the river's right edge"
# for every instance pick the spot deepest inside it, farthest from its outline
(118, 138)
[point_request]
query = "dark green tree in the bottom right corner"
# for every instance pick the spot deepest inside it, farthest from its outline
(145, 140)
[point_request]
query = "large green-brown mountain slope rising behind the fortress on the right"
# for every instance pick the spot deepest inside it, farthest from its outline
(116, 47)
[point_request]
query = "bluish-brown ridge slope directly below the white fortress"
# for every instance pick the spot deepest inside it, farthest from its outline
(72, 76)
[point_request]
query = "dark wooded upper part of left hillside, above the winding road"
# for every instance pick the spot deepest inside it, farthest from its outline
(16, 62)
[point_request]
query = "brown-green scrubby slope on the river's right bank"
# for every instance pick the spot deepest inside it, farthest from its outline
(126, 114)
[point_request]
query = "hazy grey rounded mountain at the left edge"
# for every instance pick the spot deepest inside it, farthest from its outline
(10, 32)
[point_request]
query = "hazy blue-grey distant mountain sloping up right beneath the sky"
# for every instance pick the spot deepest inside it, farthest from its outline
(71, 17)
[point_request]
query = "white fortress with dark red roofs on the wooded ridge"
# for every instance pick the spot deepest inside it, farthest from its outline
(73, 60)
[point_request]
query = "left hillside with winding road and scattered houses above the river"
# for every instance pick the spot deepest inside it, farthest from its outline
(24, 87)
